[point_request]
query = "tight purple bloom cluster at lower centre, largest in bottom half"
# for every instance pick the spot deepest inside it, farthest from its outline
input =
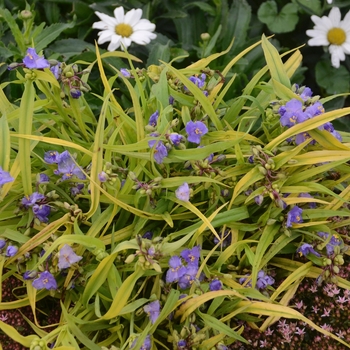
(184, 268)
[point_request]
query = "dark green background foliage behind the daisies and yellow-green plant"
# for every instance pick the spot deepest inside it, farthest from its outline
(194, 29)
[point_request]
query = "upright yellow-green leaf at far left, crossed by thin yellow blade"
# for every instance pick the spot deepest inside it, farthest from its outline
(26, 111)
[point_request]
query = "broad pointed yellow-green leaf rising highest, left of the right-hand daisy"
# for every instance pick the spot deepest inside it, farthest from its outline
(274, 62)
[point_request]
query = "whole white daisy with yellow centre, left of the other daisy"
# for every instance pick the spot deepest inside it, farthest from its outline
(124, 29)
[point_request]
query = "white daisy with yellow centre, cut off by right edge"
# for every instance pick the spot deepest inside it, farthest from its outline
(333, 32)
